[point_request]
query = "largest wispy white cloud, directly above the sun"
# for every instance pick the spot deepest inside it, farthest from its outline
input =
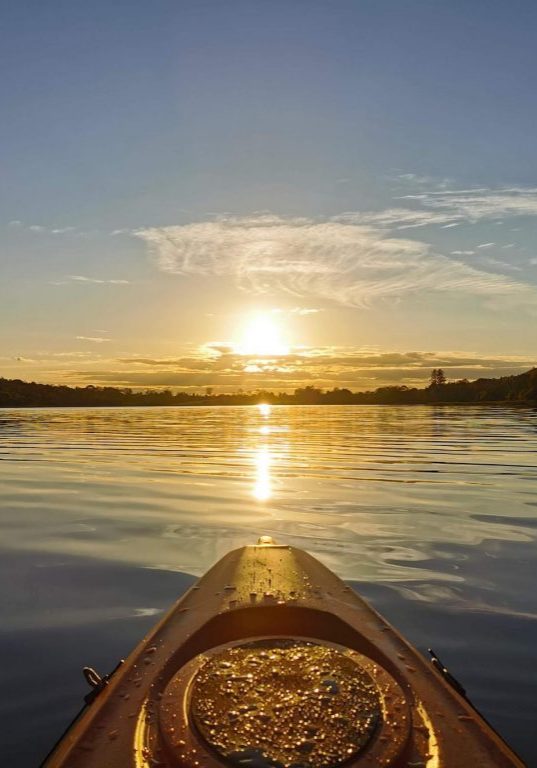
(342, 259)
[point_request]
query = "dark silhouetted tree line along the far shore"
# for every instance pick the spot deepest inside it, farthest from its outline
(15, 393)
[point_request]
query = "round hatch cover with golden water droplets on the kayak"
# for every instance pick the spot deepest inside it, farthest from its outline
(285, 703)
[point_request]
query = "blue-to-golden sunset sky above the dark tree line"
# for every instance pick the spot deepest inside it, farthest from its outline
(267, 193)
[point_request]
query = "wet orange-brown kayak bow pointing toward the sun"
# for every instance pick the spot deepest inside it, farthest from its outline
(271, 661)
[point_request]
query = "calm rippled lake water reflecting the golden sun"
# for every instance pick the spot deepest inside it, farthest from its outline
(431, 512)
